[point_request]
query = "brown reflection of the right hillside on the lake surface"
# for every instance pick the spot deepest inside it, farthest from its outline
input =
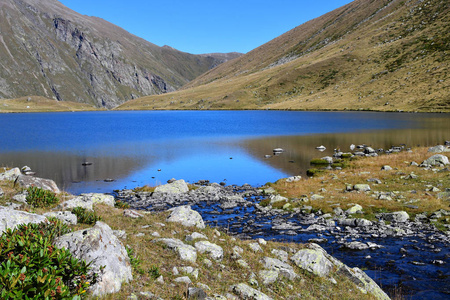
(299, 150)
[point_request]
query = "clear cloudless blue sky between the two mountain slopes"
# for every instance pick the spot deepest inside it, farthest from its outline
(201, 26)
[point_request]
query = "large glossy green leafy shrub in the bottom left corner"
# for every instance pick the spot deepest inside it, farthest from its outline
(32, 268)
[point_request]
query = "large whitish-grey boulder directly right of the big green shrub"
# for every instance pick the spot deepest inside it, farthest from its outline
(108, 257)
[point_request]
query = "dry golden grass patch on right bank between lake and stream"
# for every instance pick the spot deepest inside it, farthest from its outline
(407, 191)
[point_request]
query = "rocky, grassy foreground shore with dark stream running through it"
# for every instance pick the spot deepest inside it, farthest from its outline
(180, 252)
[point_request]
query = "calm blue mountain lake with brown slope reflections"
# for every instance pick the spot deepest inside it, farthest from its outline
(150, 147)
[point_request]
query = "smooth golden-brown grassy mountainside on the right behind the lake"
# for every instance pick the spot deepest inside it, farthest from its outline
(383, 55)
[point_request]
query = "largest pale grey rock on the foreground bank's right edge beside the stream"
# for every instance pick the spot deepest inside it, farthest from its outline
(314, 261)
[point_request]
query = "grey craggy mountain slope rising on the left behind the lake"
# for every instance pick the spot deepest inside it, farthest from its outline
(48, 50)
